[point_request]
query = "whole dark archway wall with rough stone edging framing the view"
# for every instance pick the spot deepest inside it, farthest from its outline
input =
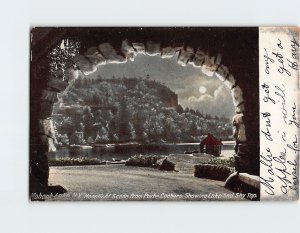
(230, 55)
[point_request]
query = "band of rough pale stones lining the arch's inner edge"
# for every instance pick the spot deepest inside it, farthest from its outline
(93, 57)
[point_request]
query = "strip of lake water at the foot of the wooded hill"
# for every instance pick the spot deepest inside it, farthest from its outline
(120, 152)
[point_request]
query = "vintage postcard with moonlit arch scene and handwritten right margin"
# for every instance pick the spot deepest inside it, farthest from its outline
(164, 114)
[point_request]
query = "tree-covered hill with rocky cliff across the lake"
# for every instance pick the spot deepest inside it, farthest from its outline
(129, 109)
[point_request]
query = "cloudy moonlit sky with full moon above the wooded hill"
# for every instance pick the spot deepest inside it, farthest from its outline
(195, 89)
